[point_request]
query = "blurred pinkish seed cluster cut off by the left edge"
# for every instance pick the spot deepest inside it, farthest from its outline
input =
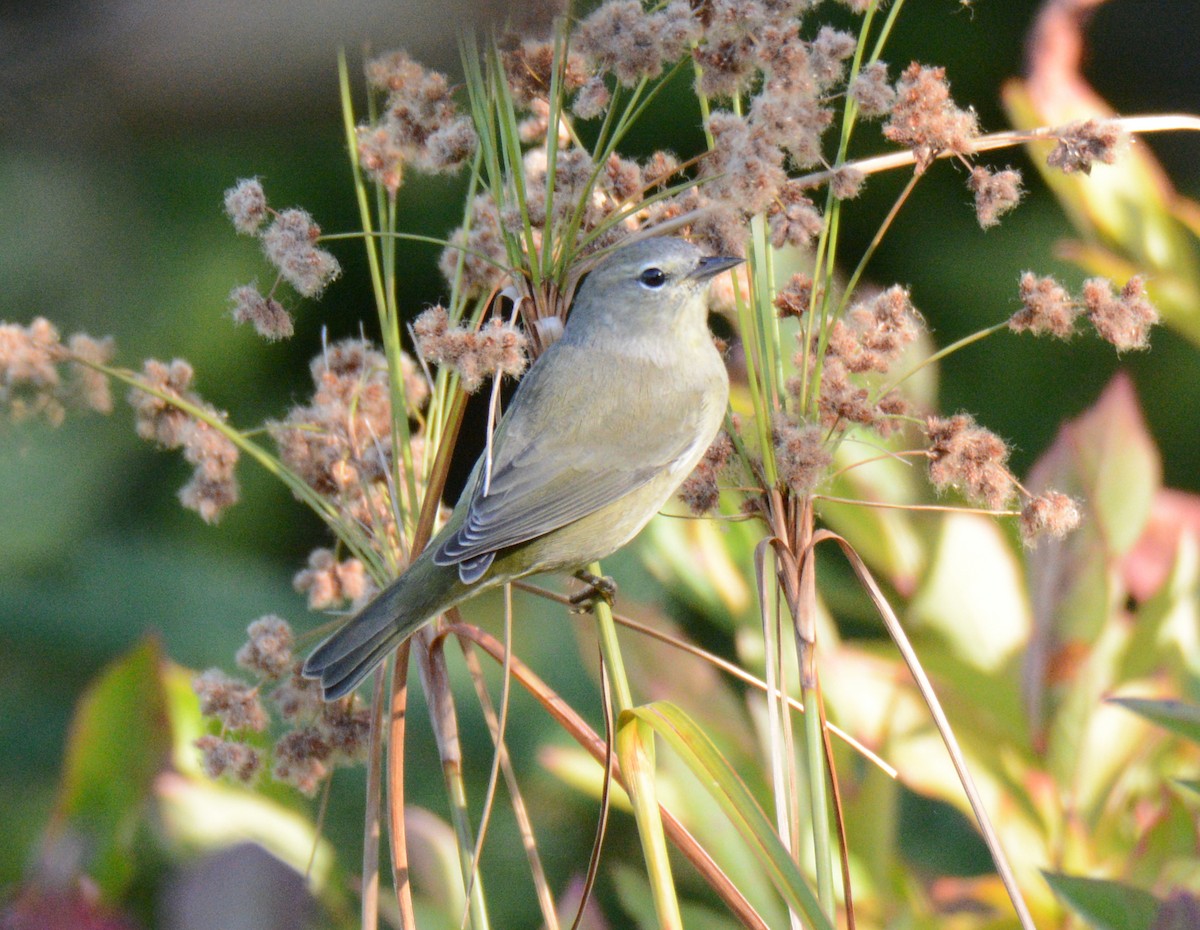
(40, 376)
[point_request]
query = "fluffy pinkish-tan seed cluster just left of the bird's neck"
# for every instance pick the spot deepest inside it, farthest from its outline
(497, 349)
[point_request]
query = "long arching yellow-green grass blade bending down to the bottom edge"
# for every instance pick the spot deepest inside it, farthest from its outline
(716, 775)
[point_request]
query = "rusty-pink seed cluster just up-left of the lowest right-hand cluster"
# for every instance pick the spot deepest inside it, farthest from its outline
(971, 459)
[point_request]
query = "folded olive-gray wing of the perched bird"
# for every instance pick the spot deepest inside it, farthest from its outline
(544, 478)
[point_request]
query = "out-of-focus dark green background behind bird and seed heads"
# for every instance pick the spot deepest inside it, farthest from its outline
(121, 127)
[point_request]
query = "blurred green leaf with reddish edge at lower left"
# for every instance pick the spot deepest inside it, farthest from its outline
(118, 745)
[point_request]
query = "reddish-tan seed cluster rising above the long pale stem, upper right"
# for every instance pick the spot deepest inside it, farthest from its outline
(926, 119)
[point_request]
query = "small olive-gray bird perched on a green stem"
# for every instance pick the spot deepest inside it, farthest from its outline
(602, 431)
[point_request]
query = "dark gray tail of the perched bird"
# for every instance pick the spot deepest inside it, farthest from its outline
(417, 597)
